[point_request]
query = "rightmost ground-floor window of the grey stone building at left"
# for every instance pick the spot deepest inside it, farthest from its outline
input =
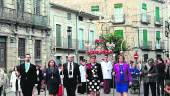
(37, 49)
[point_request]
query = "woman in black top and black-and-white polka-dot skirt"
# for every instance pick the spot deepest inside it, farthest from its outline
(94, 76)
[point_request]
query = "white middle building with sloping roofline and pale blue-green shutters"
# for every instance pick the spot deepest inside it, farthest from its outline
(71, 31)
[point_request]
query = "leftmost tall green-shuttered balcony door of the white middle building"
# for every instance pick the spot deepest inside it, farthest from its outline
(58, 35)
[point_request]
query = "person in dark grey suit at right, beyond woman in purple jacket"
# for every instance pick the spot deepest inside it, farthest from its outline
(149, 74)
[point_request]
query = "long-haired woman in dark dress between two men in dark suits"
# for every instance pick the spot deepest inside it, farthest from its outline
(52, 78)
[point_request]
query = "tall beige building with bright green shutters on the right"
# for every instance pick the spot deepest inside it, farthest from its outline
(139, 22)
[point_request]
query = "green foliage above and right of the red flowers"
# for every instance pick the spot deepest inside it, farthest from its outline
(110, 37)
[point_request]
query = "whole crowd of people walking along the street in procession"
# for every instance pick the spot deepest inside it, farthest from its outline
(89, 76)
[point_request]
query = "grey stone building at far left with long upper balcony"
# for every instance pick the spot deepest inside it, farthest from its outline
(23, 29)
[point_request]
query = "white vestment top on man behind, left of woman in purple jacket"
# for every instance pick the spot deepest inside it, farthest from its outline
(107, 69)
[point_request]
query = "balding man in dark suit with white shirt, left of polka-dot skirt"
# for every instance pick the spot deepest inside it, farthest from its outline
(71, 76)
